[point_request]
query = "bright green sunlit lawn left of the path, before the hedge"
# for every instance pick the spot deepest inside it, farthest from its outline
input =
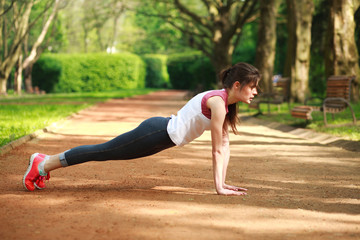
(22, 115)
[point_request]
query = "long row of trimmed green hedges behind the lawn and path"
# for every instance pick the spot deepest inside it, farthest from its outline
(99, 72)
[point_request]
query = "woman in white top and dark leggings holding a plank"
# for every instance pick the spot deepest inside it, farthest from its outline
(214, 110)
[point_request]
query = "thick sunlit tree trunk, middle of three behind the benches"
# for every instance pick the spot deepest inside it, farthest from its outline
(298, 49)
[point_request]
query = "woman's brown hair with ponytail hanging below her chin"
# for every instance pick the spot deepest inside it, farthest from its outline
(245, 74)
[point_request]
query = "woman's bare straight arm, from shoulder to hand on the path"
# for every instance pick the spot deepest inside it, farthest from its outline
(219, 153)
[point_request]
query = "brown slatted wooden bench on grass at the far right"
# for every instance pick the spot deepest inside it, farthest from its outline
(338, 89)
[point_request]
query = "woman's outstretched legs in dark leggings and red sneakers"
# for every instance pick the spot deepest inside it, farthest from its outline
(148, 138)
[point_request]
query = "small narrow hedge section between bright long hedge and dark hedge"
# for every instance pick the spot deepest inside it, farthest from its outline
(156, 71)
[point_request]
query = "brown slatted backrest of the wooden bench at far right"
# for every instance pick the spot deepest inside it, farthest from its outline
(338, 87)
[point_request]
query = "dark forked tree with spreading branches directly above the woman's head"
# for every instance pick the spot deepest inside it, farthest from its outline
(213, 27)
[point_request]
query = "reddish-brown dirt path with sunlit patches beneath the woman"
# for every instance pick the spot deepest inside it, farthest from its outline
(297, 189)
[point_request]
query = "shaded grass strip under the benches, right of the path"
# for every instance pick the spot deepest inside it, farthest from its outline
(340, 126)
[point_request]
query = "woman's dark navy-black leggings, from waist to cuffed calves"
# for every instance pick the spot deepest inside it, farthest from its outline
(148, 138)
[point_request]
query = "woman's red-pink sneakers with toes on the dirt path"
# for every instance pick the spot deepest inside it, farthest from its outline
(32, 173)
